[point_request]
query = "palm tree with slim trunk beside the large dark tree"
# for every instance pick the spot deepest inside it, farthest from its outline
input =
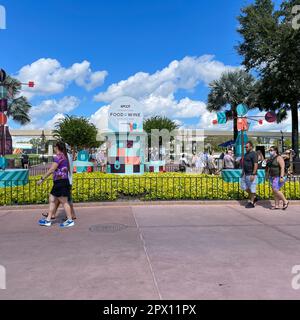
(232, 88)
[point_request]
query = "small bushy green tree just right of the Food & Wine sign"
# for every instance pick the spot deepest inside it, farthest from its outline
(159, 123)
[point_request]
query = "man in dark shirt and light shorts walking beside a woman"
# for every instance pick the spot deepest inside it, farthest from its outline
(249, 174)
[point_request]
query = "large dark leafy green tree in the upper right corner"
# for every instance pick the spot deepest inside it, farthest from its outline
(270, 46)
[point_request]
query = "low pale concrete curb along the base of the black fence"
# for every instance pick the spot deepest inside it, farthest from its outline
(146, 203)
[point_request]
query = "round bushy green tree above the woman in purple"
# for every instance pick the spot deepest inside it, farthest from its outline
(78, 132)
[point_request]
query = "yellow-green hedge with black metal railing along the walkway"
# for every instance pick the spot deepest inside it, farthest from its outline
(147, 187)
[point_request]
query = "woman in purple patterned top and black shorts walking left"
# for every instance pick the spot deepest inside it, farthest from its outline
(61, 186)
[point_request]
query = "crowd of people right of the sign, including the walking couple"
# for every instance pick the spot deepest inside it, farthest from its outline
(278, 168)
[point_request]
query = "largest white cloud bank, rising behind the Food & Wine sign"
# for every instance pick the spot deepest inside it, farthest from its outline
(156, 92)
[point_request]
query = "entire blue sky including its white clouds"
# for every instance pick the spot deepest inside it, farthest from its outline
(78, 52)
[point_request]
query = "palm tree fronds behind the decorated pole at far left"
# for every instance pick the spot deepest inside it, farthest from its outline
(17, 106)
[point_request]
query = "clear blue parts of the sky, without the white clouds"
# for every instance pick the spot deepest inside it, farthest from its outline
(120, 37)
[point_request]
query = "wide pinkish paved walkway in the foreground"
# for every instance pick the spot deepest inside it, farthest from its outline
(152, 252)
